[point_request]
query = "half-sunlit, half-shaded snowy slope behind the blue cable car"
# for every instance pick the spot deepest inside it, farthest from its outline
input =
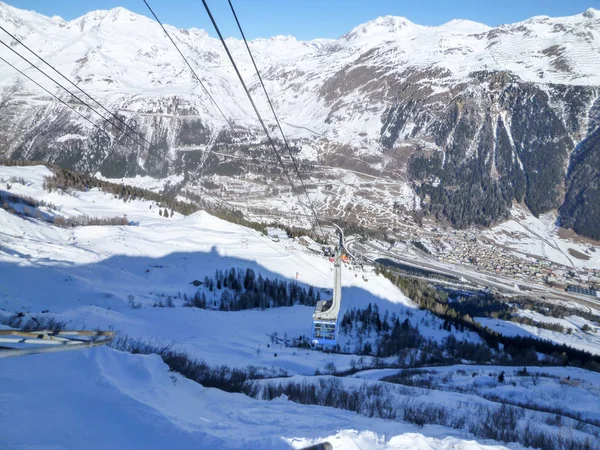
(86, 275)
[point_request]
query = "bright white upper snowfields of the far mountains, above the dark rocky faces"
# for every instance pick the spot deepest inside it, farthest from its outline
(141, 72)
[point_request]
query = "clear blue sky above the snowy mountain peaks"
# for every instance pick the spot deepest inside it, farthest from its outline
(308, 19)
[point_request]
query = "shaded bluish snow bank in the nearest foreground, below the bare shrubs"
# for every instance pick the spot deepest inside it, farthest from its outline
(103, 398)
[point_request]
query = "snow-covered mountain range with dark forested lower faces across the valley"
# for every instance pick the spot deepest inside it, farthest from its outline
(476, 116)
